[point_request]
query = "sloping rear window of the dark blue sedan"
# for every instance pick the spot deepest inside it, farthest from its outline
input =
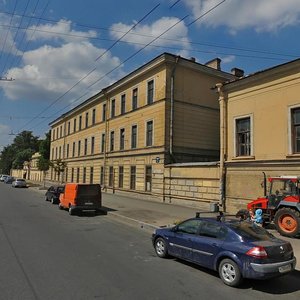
(251, 231)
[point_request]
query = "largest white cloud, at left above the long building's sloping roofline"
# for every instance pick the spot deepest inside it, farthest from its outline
(49, 72)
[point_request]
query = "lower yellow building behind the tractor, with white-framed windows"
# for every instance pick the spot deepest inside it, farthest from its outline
(260, 131)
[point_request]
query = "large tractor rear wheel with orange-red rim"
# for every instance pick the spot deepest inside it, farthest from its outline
(287, 222)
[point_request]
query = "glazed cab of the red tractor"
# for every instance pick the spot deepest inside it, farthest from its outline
(283, 188)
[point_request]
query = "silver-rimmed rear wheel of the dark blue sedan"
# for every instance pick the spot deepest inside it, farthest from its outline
(230, 272)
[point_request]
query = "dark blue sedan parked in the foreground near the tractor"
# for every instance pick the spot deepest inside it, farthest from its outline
(236, 249)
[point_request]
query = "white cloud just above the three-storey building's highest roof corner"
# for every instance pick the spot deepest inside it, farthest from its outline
(143, 34)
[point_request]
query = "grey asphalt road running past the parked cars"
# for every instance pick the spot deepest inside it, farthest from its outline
(47, 254)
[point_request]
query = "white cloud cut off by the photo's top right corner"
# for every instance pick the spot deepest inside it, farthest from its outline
(262, 15)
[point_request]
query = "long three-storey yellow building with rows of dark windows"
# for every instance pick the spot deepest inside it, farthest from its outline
(163, 112)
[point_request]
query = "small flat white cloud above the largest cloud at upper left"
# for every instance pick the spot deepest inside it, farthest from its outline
(58, 31)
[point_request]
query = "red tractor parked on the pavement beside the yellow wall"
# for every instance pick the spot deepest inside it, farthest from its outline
(281, 204)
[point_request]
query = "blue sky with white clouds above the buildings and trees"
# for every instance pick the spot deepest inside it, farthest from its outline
(50, 47)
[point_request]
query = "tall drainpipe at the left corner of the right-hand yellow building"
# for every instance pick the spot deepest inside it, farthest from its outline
(223, 139)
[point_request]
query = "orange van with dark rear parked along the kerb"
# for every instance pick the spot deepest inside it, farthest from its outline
(81, 197)
